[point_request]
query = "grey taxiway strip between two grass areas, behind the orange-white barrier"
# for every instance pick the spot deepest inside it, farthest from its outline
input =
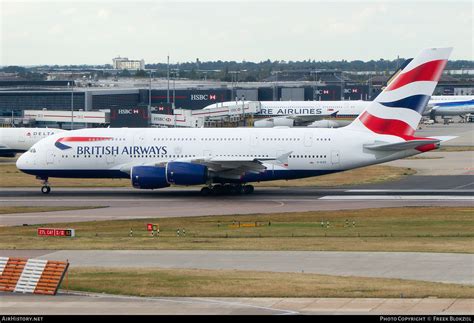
(452, 268)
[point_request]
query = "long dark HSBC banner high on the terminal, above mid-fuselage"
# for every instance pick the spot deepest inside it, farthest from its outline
(191, 99)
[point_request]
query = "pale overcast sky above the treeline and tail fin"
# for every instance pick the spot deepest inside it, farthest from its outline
(95, 31)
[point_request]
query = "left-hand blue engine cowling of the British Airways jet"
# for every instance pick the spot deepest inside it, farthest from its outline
(148, 177)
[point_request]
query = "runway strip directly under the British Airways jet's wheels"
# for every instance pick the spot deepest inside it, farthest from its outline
(127, 203)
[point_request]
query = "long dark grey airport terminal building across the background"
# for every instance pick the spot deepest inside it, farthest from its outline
(16, 97)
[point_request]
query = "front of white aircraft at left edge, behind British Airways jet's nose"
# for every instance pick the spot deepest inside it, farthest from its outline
(18, 140)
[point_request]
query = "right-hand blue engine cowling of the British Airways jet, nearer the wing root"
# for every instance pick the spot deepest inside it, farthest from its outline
(181, 173)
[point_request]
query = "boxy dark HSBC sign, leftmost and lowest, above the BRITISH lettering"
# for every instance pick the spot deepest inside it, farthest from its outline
(129, 117)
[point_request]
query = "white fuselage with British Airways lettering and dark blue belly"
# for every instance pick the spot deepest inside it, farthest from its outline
(110, 152)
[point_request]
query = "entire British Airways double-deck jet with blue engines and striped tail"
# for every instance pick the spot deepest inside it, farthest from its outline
(157, 158)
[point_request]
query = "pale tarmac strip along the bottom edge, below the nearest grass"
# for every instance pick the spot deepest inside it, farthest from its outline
(103, 304)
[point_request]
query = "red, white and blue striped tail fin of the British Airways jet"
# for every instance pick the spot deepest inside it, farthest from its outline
(397, 110)
